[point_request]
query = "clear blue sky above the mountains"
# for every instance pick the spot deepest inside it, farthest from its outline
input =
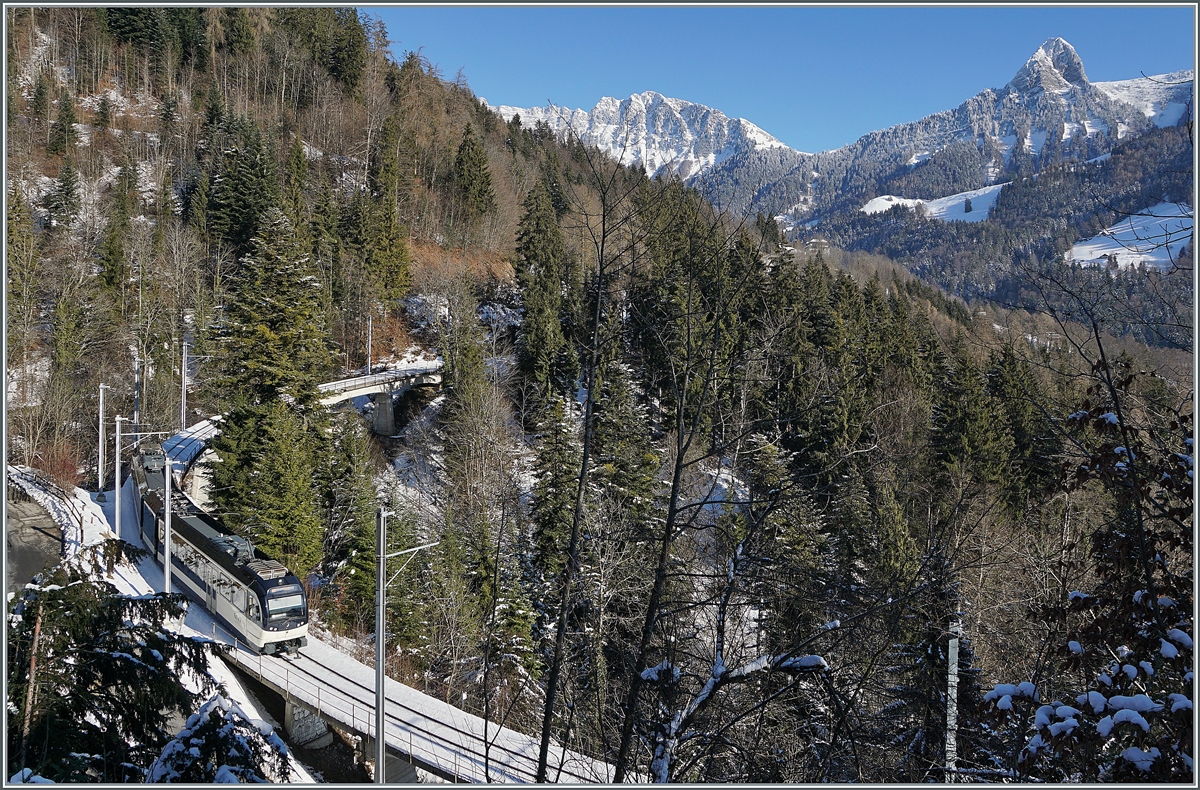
(814, 77)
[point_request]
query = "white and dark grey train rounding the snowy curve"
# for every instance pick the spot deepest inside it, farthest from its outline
(253, 596)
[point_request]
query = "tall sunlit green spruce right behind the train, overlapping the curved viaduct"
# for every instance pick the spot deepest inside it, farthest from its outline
(272, 350)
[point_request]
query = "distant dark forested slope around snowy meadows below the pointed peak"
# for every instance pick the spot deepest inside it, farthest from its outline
(1037, 218)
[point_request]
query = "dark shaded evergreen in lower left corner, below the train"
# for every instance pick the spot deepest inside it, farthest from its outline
(94, 675)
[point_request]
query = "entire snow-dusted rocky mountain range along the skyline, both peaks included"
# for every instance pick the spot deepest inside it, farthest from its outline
(1049, 103)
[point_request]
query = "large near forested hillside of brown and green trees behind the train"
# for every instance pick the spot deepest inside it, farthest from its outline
(706, 507)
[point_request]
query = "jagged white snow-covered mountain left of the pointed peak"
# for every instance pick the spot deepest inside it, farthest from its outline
(663, 135)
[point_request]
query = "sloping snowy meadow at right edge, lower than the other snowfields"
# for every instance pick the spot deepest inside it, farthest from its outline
(1155, 237)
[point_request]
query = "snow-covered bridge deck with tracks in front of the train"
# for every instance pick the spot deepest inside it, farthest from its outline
(431, 734)
